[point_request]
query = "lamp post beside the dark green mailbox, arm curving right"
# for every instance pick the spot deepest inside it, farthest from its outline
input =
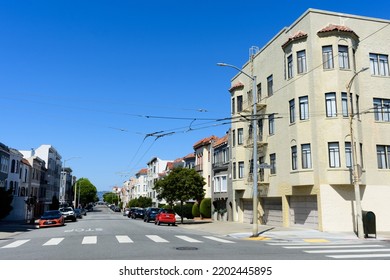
(355, 171)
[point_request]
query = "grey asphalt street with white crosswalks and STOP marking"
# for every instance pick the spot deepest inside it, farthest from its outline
(107, 235)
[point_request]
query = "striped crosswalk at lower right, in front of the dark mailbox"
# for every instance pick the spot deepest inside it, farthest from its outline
(340, 250)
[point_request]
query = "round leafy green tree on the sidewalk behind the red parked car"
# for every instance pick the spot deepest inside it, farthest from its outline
(181, 184)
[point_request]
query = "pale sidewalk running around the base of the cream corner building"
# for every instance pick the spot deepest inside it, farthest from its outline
(244, 231)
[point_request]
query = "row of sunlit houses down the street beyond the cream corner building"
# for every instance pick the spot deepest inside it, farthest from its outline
(210, 159)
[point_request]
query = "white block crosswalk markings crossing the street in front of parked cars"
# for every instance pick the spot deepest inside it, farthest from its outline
(121, 239)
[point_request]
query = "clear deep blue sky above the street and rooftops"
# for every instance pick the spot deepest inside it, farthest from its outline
(95, 78)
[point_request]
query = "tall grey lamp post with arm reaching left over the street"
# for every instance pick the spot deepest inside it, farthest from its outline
(254, 127)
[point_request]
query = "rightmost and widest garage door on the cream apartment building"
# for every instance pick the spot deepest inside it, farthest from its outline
(304, 211)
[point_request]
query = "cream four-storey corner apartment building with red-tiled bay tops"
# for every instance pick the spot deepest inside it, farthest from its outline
(303, 125)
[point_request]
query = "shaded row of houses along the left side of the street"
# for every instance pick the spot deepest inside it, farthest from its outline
(36, 177)
